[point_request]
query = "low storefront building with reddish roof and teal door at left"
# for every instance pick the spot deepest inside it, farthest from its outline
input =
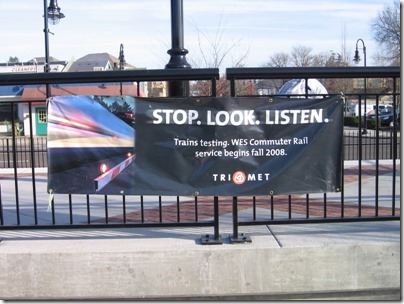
(35, 95)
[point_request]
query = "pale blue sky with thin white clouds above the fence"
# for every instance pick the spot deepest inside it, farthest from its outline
(254, 29)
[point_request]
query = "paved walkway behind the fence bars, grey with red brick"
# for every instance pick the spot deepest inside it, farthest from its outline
(262, 208)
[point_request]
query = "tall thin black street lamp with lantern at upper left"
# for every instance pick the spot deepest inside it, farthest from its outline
(52, 15)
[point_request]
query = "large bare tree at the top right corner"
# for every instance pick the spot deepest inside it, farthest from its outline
(386, 31)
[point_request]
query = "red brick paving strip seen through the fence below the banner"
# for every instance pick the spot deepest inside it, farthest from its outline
(169, 213)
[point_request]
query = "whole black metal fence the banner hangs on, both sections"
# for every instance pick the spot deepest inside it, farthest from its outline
(374, 158)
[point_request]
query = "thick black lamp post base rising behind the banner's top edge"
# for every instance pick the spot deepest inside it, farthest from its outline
(177, 51)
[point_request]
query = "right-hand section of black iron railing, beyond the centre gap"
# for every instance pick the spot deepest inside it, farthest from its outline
(364, 202)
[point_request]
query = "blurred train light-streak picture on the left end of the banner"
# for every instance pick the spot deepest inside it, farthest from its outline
(86, 133)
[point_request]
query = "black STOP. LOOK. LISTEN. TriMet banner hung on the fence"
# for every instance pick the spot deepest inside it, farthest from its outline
(204, 146)
